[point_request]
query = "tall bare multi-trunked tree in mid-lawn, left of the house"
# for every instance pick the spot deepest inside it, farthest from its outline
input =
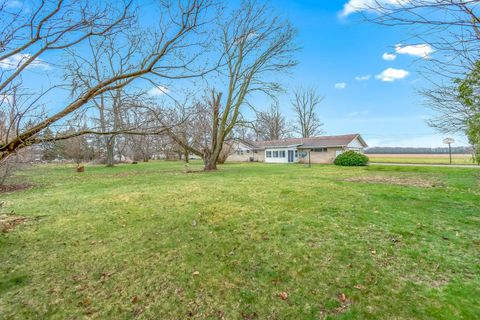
(254, 44)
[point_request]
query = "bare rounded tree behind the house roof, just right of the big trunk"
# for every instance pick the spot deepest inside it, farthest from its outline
(271, 124)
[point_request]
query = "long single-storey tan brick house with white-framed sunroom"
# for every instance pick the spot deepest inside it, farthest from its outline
(322, 149)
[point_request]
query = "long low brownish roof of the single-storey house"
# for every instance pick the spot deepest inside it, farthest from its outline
(312, 142)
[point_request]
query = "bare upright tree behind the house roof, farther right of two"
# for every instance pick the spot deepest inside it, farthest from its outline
(305, 102)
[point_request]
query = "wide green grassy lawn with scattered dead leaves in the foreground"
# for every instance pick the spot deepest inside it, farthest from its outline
(251, 241)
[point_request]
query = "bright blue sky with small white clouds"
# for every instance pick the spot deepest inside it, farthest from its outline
(368, 74)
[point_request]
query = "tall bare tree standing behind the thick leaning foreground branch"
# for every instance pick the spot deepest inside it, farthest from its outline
(104, 58)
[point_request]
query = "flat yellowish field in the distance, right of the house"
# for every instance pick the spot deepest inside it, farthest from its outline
(421, 158)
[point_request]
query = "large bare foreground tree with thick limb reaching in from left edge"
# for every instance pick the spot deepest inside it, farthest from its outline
(171, 51)
